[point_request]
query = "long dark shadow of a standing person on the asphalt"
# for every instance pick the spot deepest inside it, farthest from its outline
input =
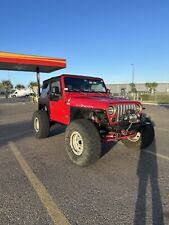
(147, 171)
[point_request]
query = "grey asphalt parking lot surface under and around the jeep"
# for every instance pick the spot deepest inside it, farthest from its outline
(39, 184)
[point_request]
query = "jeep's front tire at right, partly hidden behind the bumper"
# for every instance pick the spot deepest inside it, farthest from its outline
(143, 138)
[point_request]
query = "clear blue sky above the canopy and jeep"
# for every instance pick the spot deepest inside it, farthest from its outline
(97, 37)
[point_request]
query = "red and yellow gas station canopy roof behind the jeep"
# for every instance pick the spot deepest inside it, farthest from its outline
(22, 62)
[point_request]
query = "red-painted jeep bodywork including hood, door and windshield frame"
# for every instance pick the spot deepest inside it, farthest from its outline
(60, 110)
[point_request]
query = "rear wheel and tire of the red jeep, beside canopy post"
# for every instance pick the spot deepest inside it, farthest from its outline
(41, 124)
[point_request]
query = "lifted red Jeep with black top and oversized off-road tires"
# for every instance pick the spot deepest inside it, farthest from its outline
(91, 114)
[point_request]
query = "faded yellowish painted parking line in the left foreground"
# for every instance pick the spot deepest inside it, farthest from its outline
(46, 199)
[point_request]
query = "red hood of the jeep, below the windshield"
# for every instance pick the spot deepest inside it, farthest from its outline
(97, 102)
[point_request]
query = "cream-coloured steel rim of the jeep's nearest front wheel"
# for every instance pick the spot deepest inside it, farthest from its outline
(76, 143)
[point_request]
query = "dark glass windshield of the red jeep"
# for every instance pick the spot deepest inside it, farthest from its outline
(84, 85)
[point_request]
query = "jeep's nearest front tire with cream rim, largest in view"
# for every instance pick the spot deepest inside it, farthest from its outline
(82, 142)
